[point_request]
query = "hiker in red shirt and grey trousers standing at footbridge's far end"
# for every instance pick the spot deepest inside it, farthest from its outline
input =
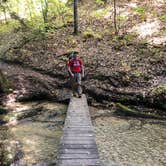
(76, 71)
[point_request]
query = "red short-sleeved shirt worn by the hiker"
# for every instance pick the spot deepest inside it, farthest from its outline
(75, 65)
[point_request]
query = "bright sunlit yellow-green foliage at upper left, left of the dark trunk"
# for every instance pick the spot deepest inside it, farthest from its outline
(37, 13)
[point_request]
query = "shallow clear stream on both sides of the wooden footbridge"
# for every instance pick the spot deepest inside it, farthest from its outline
(32, 137)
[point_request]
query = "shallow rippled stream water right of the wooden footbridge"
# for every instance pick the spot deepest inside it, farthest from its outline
(130, 141)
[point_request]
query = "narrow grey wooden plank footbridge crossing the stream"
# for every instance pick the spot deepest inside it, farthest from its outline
(78, 146)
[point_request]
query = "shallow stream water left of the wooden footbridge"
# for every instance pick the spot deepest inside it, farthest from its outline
(34, 139)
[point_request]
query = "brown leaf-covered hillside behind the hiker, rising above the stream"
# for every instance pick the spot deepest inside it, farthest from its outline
(128, 69)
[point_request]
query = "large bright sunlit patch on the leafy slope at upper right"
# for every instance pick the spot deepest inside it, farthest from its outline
(146, 29)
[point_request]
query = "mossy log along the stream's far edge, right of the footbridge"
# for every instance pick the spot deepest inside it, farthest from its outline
(133, 112)
